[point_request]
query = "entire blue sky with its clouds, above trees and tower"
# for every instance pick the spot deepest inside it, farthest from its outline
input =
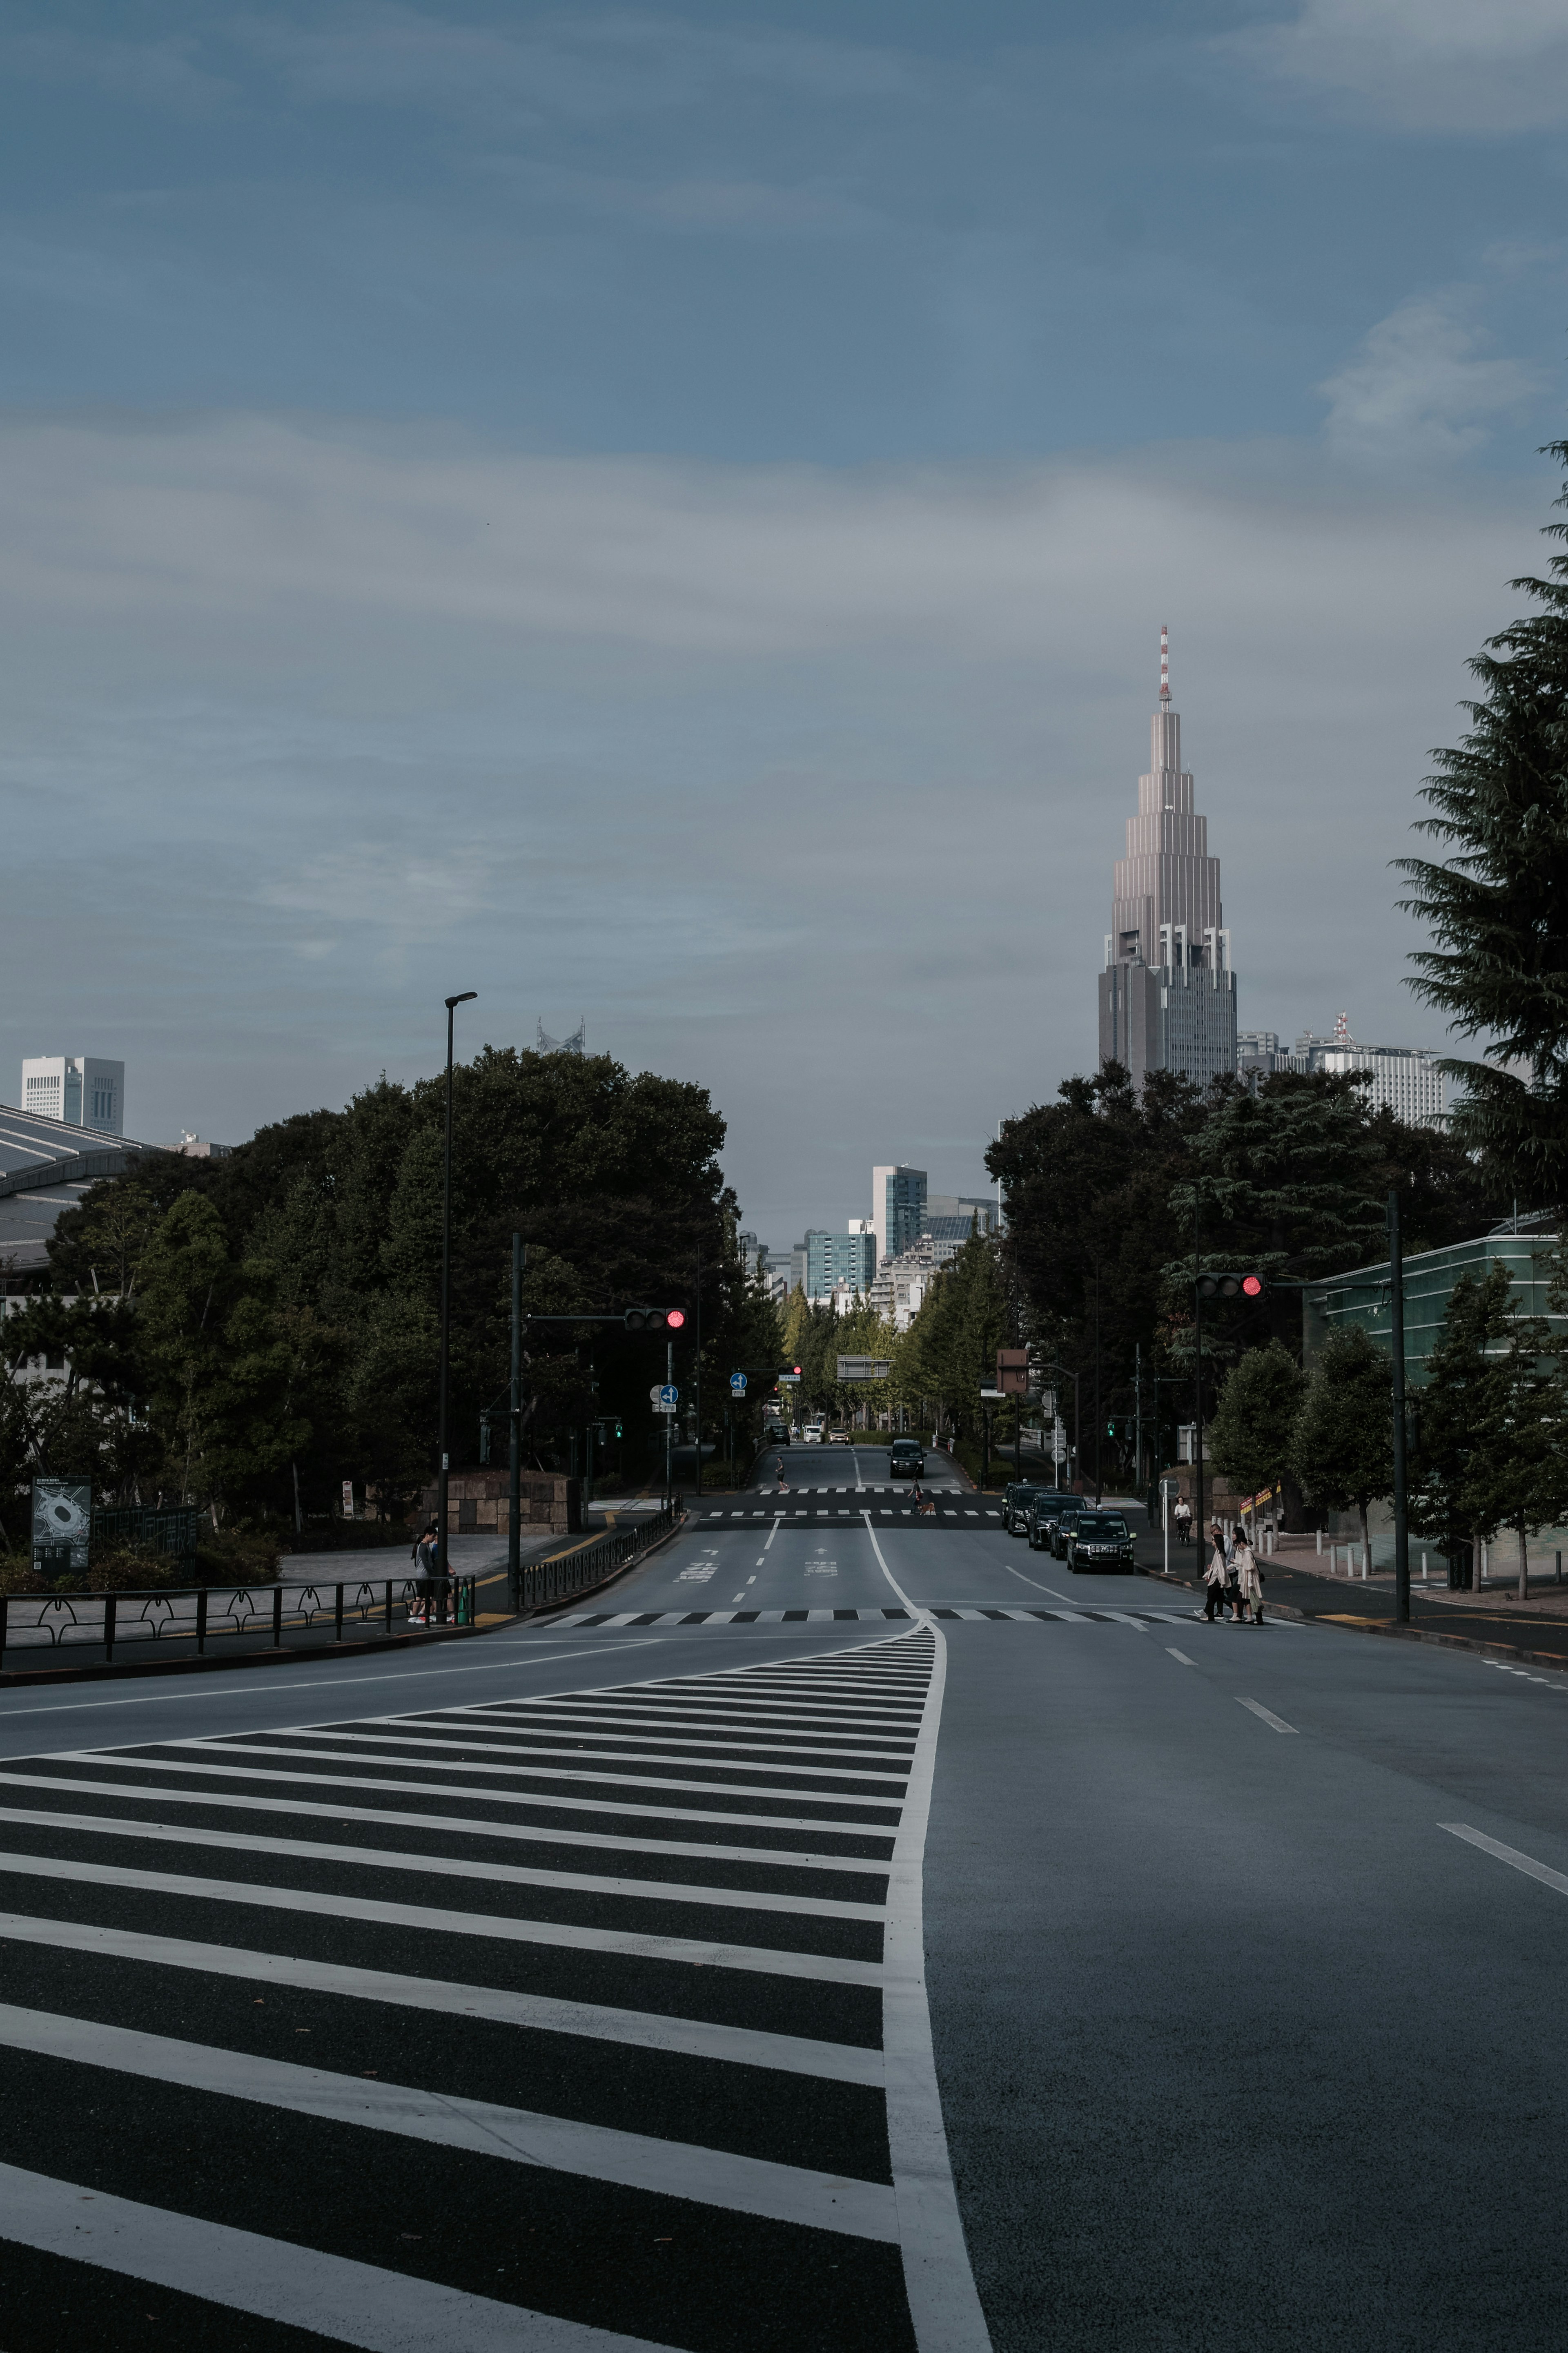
(666, 516)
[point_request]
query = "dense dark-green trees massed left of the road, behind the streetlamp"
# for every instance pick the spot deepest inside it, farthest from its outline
(257, 1331)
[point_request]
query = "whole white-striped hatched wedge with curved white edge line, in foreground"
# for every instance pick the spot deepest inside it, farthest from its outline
(556, 2022)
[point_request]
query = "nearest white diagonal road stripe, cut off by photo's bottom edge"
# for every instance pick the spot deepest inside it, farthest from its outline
(328, 2295)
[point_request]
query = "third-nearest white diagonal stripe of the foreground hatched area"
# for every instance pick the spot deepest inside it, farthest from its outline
(598, 2022)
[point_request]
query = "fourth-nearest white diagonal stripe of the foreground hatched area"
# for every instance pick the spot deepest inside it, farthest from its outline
(760, 1959)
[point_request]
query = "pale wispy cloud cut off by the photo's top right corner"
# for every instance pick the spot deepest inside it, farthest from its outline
(1426, 65)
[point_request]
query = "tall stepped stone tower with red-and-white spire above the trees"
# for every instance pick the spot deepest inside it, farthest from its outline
(1167, 994)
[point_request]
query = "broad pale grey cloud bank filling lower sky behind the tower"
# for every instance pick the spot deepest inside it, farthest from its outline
(314, 724)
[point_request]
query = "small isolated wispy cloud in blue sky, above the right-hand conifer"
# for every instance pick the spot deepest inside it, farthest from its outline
(1421, 387)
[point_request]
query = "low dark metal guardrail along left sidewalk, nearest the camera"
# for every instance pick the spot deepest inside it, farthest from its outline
(267, 1618)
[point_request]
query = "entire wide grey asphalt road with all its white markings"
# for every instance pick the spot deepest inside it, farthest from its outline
(563, 1989)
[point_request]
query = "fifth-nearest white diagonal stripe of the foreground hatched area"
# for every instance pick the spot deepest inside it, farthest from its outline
(441, 1867)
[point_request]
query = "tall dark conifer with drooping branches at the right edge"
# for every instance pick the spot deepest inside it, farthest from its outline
(1499, 902)
